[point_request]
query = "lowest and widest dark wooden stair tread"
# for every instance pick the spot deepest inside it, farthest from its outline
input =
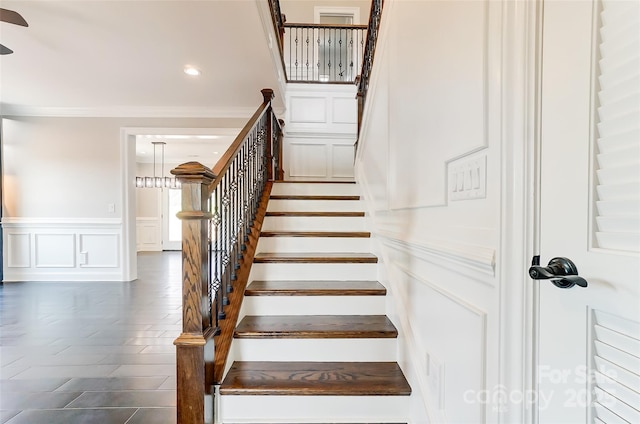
(315, 378)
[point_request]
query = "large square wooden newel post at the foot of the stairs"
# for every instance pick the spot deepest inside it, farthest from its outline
(195, 179)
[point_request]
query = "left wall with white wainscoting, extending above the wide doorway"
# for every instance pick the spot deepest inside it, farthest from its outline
(65, 196)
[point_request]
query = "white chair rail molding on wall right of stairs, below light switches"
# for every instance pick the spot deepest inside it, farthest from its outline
(474, 261)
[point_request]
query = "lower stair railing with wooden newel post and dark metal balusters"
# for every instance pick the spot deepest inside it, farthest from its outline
(220, 207)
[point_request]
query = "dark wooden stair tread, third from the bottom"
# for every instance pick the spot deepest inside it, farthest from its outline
(315, 288)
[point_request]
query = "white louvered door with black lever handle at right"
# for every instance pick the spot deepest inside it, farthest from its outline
(589, 338)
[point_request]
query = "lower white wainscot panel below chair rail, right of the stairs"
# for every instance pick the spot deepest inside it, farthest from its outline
(434, 348)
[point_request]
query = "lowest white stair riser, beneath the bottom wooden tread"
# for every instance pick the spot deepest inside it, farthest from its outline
(314, 409)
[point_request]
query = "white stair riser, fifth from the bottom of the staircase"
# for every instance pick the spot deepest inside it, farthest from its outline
(314, 244)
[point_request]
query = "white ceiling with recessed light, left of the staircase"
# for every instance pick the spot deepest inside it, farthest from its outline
(125, 57)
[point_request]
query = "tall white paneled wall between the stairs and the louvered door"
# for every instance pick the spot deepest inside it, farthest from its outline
(430, 161)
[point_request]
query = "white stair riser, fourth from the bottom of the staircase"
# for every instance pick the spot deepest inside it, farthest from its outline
(307, 271)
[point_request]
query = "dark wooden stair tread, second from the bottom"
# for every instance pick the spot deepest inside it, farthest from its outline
(315, 327)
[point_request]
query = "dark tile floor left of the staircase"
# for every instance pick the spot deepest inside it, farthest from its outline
(92, 352)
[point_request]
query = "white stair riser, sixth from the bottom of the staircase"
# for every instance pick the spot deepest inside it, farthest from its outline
(313, 223)
